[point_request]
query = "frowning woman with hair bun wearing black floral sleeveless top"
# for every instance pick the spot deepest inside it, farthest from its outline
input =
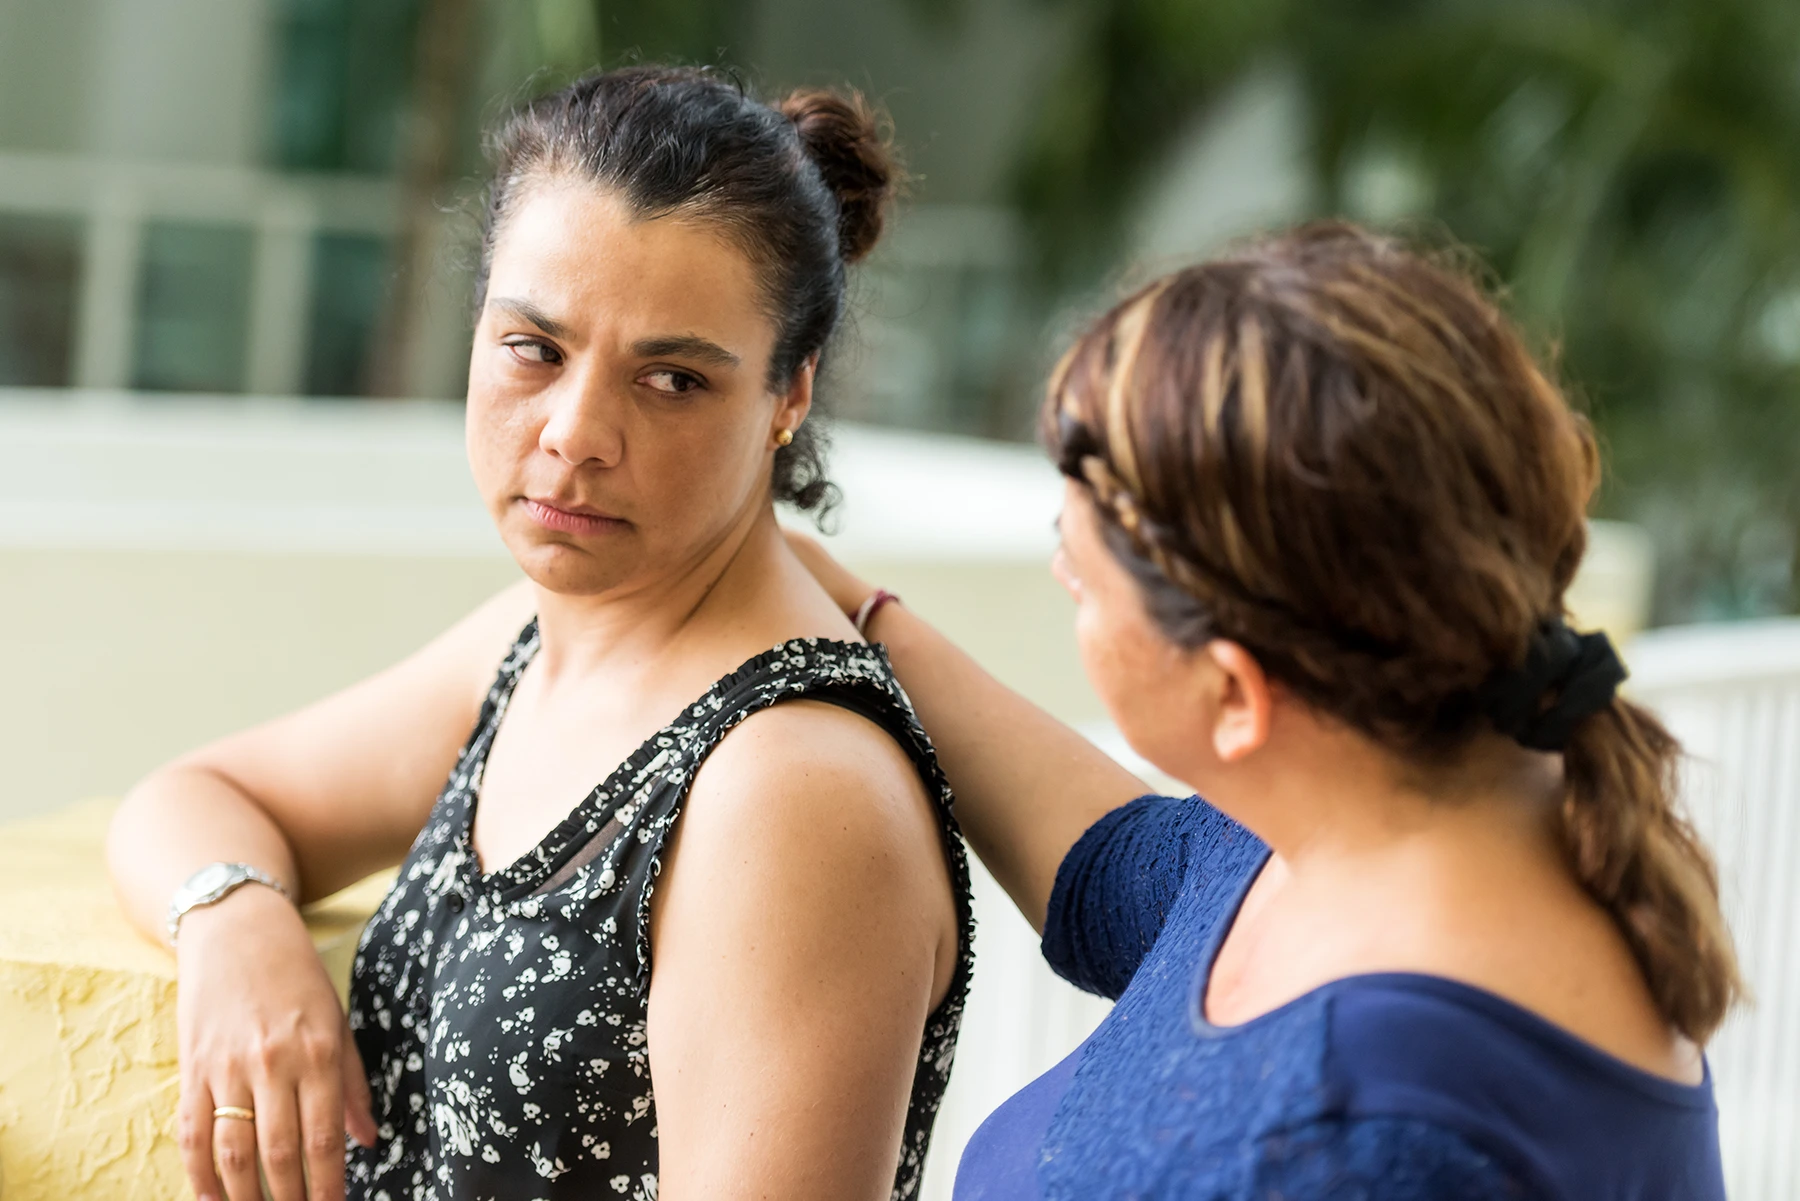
(690, 919)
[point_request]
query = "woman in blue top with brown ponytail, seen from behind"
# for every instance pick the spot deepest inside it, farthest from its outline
(1439, 928)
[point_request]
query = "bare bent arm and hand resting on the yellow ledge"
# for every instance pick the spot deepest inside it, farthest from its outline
(318, 800)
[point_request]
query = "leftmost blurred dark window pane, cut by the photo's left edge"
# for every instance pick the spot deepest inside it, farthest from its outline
(40, 260)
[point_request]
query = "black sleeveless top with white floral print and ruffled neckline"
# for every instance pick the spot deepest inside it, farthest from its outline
(501, 1016)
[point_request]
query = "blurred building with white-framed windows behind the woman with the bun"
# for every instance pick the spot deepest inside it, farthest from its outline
(267, 197)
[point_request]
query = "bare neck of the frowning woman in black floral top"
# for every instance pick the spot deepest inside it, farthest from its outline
(645, 620)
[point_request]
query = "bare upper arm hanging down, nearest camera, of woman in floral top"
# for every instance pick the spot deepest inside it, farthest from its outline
(804, 934)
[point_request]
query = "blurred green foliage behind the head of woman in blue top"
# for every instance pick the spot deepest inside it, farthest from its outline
(1632, 168)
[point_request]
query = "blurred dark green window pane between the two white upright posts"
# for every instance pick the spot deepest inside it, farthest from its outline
(193, 309)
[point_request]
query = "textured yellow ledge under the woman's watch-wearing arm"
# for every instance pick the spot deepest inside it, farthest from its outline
(87, 1020)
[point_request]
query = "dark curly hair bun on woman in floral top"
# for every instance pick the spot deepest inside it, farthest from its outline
(843, 136)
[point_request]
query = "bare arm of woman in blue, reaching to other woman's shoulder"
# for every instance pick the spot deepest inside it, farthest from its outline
(1027, 786)
